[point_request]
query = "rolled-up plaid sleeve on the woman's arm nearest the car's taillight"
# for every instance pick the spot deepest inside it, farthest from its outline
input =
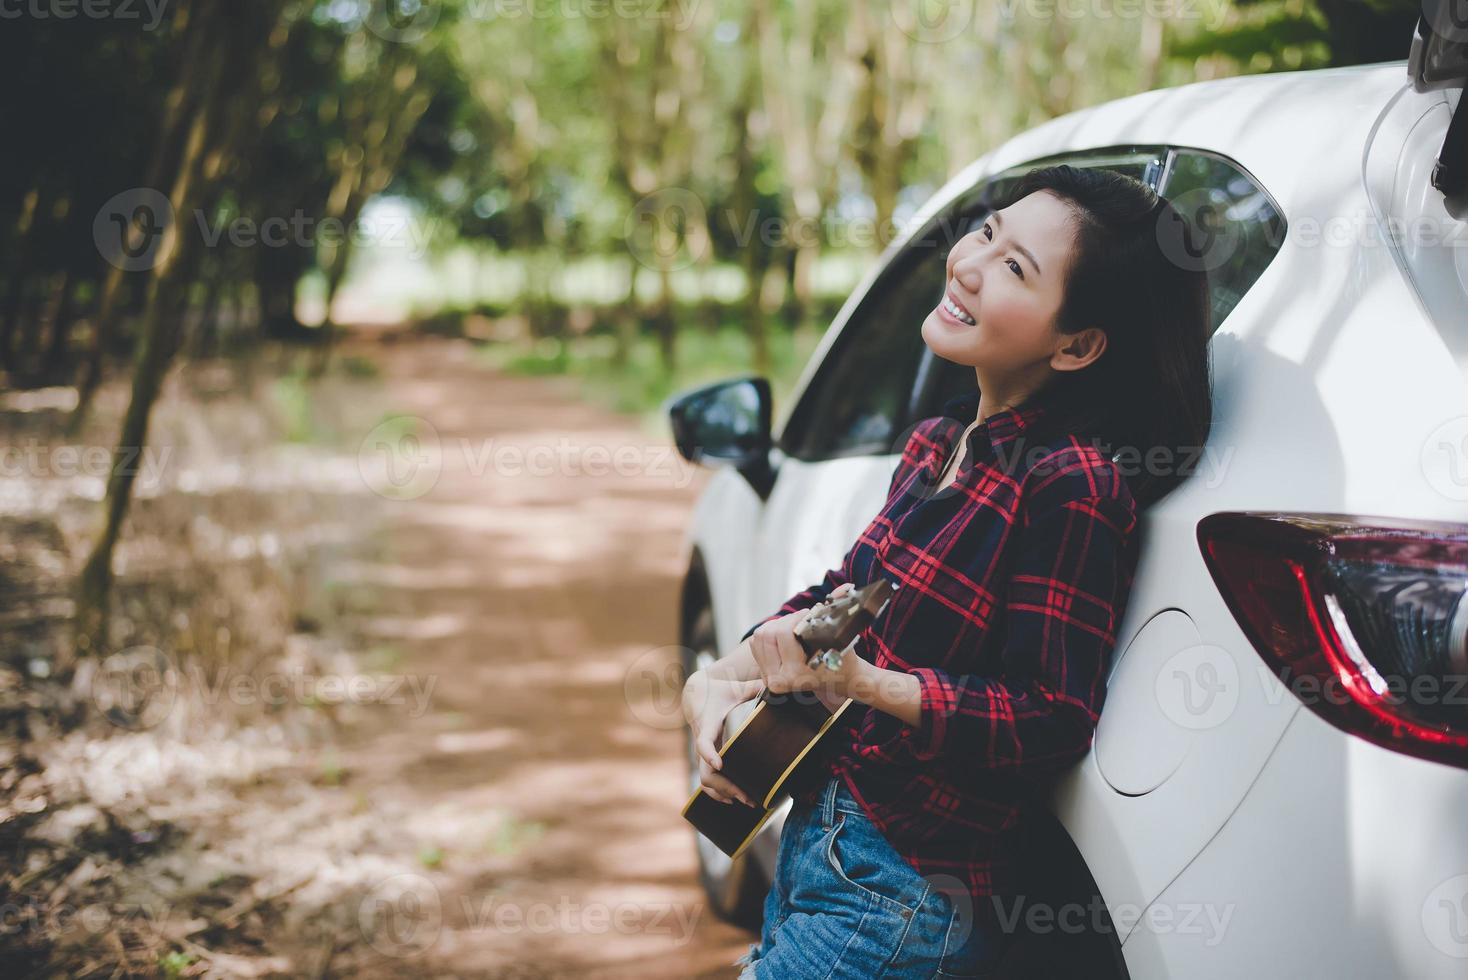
(1069, 576)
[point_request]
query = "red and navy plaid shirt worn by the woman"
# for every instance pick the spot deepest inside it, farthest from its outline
(1011, 588)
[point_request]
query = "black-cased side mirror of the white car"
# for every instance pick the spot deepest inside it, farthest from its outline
(727, 423)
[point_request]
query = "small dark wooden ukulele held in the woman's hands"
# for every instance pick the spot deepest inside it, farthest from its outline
(782, 745)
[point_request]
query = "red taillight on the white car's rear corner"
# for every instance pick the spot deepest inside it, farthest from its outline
(1365, 621)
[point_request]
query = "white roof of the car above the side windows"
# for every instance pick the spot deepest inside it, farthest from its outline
(1296, 133)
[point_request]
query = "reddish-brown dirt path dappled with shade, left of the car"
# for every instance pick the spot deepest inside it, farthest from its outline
(535, 574)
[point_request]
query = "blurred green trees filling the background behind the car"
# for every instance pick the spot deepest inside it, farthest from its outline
(645, 193)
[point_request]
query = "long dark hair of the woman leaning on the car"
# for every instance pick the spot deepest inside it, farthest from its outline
(1152, 390)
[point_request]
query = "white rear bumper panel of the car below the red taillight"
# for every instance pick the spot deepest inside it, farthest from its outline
(1345, 860)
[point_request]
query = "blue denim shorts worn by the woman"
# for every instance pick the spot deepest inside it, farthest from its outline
(845, 904)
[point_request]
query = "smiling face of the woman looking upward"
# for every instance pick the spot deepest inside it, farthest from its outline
(1008, 281)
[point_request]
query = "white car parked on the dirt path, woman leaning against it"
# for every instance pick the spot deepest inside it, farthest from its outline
(1268, 794)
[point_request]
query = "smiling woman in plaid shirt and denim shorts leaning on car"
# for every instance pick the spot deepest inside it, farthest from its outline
(1011, 532)
